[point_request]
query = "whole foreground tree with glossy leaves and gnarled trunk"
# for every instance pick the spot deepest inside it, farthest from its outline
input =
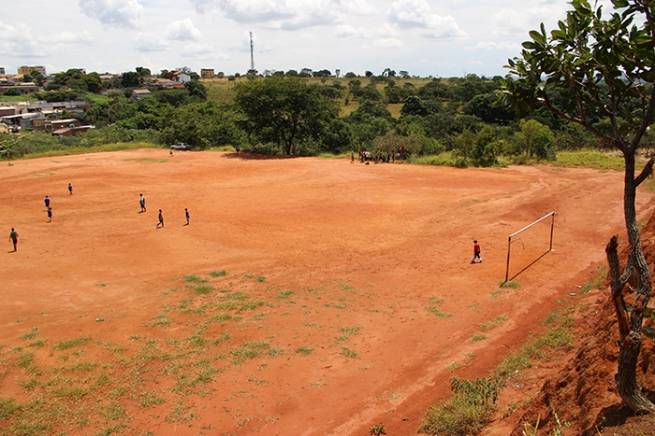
(596, 70)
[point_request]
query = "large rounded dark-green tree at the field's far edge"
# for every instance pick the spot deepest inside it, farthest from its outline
(285, 110)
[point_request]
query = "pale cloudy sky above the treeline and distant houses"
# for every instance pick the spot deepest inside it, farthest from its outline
(424, 37)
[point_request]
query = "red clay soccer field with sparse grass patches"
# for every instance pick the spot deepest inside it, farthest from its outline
(308, 296)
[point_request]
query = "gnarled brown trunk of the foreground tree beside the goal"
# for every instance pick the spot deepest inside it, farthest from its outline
(630, 323)
